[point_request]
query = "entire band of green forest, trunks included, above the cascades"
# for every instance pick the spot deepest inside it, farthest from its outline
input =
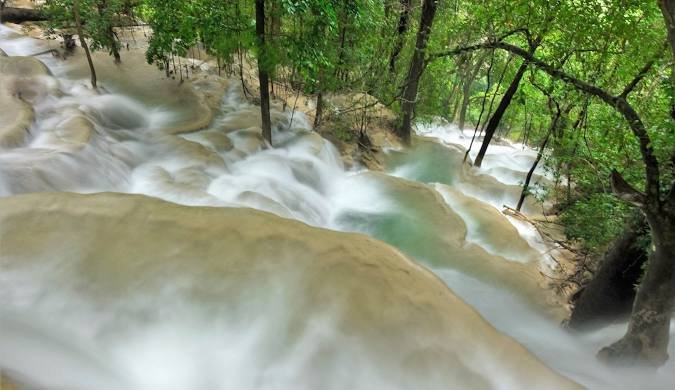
(588, 82)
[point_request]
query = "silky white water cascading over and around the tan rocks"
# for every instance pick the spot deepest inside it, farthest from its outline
(429, 205)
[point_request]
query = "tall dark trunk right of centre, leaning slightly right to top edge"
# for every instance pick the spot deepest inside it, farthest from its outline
(416, 69)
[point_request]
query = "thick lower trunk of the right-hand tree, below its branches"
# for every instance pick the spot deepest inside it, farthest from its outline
(646, 340)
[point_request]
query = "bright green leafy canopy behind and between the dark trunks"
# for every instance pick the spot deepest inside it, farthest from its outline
(343, 46)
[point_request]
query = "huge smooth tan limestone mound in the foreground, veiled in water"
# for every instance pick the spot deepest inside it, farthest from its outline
(326, 309)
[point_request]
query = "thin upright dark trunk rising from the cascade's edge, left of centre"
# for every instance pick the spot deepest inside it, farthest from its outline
(263, 76)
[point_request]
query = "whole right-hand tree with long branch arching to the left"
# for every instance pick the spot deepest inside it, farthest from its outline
(646, 340)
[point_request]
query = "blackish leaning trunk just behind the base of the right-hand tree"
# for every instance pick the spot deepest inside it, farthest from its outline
(611, 293)
